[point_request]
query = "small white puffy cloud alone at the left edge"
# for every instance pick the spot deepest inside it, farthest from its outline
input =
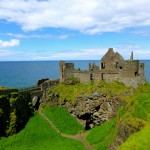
(11, 43)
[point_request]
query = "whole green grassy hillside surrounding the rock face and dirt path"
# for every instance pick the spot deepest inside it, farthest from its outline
(131, 125)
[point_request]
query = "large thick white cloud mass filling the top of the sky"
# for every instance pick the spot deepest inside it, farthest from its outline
(88, 16)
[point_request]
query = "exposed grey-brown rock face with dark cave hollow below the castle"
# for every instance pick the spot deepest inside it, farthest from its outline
(92, 110)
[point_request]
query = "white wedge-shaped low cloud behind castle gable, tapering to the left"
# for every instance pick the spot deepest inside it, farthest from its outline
(96, 54)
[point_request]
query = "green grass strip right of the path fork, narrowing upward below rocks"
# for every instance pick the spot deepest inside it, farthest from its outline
(102, 136)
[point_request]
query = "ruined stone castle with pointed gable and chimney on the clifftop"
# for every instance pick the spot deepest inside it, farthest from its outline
(112, 67)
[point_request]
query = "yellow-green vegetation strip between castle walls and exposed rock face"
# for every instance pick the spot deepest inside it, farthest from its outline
(70, 92)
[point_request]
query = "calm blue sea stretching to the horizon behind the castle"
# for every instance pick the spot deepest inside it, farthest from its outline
(24, 74)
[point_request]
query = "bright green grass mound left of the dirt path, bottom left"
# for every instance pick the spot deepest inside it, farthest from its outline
(38, 135)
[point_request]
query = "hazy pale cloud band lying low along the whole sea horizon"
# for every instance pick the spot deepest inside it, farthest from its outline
(85, 54)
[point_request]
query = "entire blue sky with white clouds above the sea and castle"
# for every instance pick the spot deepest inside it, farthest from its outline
(73, 29)
